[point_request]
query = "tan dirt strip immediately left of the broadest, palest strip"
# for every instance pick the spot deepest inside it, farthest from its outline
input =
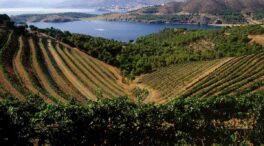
(61, 80)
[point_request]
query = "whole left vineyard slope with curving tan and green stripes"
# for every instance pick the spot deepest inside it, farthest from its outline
(39, 65)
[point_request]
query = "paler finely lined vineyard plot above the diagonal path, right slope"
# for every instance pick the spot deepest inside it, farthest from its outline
(172, 81)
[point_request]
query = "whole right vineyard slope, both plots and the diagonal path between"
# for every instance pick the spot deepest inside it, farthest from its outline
(231, 76)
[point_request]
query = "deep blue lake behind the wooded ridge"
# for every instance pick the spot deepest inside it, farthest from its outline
(121, 31)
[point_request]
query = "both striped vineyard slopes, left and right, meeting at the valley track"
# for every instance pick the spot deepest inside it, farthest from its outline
(40, 65)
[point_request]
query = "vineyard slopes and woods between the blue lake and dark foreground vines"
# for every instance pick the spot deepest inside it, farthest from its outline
(172, 63)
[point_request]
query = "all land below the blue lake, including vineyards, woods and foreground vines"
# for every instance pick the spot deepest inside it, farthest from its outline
(58, 88)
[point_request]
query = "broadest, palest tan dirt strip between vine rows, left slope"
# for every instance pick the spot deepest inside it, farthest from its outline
(71, 77)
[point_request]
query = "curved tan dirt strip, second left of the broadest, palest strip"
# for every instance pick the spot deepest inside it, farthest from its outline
(41, 74)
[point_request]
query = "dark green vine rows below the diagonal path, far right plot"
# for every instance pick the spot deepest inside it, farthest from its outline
(242, 75)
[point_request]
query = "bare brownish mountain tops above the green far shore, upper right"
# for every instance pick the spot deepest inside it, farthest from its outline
(213, 7)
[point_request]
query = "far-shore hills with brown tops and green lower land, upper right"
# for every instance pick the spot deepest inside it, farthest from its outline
(197, 11)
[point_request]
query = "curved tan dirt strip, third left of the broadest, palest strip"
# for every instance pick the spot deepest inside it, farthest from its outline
(24, 76)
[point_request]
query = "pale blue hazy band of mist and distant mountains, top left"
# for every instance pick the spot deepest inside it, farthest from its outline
(81, 3)
